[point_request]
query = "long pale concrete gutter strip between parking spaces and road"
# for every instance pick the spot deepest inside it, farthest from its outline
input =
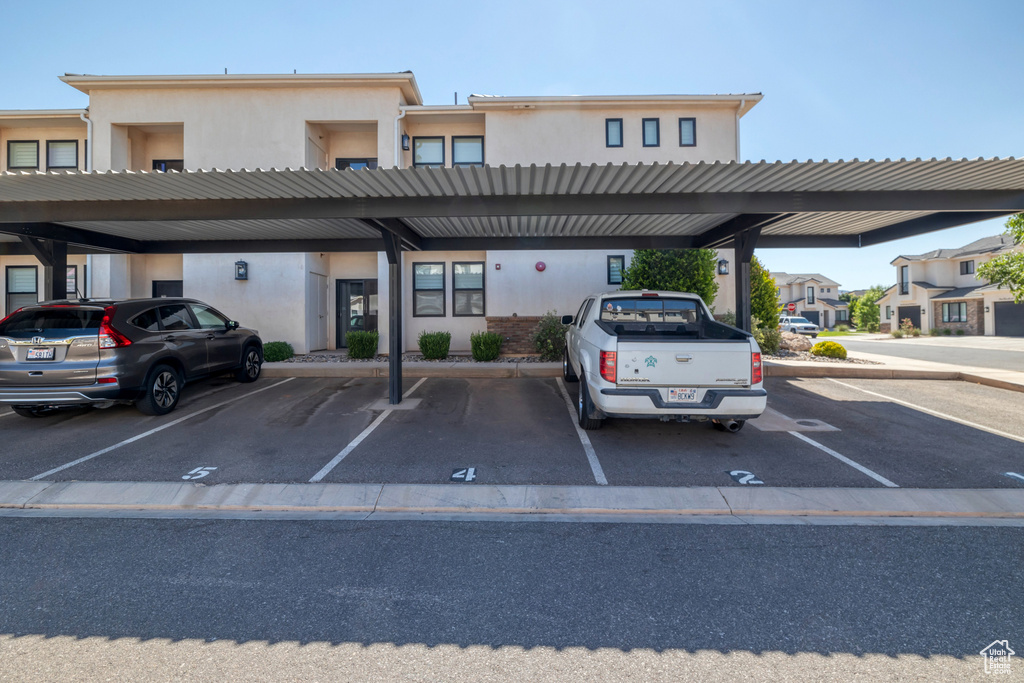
(503, 502)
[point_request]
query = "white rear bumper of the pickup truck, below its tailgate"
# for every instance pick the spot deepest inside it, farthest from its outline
(717, 404)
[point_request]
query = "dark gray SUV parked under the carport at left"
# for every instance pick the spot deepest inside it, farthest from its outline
(98, 353)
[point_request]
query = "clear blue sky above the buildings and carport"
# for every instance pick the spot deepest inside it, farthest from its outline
(842, 80)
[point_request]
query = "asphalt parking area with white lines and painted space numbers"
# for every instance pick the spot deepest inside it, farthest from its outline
(818, 433)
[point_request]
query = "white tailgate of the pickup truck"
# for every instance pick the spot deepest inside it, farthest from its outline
(678, 364)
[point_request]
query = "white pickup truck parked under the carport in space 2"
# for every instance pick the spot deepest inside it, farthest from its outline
(661, 355)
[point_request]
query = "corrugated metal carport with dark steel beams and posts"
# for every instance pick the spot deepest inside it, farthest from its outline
(740, 205)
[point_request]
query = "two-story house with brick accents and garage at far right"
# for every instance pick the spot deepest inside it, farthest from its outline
(941, 290)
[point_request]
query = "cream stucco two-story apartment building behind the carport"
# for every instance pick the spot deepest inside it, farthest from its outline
(355, 123)
